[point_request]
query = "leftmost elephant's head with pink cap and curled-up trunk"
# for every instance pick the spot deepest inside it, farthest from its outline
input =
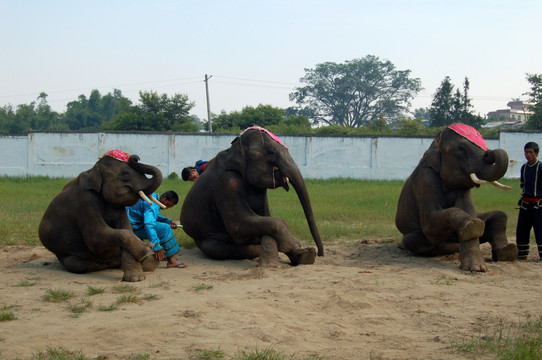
(122, 179)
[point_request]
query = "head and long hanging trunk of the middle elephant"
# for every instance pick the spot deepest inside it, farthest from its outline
(265, 163)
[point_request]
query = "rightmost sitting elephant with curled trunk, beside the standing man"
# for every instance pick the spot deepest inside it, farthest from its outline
(435, 212)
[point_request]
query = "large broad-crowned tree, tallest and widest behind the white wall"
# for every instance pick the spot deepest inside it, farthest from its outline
(355, 93)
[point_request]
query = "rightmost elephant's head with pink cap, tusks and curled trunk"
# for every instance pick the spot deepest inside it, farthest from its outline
(461, 156)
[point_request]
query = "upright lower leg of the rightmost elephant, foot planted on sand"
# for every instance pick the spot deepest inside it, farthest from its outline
(469, 246)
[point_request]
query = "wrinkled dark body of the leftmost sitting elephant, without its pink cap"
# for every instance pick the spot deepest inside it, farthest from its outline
(86, 225)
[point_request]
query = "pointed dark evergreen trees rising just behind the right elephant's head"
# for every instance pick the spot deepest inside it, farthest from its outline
(447, 109)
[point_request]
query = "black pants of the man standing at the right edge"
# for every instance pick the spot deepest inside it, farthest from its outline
(530, 217)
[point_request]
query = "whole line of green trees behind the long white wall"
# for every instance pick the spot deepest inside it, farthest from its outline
(359, 96)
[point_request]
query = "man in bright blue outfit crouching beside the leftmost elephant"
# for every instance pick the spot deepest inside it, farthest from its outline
(148, 224)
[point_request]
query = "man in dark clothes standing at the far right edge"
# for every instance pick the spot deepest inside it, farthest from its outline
(530, 213)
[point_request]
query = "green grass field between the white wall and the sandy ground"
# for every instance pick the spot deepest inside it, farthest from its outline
(346, 210)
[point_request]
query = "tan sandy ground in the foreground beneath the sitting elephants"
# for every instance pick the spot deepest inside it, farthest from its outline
(368, 300)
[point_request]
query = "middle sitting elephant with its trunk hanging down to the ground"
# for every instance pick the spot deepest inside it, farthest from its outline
(226, 211)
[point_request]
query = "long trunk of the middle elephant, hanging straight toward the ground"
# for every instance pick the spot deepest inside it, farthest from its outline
(296, 179)
